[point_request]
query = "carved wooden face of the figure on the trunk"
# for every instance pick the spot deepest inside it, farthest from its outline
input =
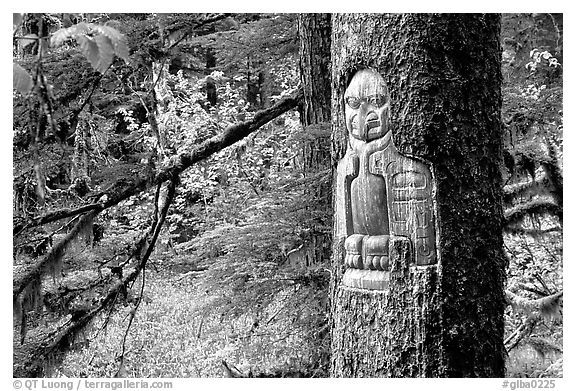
(367, 105)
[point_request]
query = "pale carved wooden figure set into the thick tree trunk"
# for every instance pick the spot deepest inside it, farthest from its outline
(382, 194)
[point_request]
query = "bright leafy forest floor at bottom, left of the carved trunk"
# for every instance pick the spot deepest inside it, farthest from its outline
(176, 333)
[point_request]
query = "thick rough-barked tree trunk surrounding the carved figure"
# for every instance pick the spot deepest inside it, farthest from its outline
(442, 316)
